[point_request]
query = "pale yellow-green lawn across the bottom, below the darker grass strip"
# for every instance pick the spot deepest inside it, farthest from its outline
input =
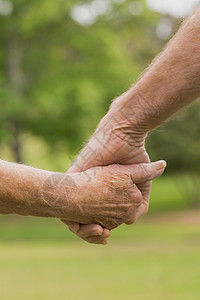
(152, 262)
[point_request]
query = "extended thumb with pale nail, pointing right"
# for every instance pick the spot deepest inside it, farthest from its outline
(146, 172)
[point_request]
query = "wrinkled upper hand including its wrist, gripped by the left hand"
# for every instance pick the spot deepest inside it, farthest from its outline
(117, 139)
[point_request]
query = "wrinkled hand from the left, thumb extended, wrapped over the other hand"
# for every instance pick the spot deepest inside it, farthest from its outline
(109, 195)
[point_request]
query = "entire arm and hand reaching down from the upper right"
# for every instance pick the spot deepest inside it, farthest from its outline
(160, 92)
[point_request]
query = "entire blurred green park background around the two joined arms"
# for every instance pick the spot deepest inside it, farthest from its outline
(61, 64)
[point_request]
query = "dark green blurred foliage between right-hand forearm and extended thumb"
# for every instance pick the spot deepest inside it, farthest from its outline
(178, 141)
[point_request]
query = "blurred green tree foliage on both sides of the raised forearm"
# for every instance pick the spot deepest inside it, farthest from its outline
(57, 77)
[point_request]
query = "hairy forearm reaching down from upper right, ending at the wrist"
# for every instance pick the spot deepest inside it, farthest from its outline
(170, 83)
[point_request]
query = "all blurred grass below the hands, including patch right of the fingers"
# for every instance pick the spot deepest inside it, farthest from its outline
(41, 259)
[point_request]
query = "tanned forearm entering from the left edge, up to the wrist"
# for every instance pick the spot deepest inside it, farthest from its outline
(21, 190)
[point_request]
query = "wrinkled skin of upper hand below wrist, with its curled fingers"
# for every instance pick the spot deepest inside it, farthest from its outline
(119, 145)
